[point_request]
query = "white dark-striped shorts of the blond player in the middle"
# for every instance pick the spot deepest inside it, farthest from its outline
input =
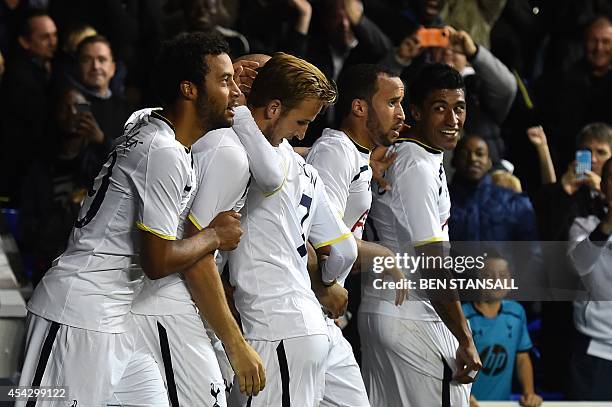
(295, 373)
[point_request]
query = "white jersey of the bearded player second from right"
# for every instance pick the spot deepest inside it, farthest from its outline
(344, 167)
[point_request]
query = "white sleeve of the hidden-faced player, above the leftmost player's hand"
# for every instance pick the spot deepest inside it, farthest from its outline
(221, 183)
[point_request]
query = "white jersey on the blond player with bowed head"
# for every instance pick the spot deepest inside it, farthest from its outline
(268, 269)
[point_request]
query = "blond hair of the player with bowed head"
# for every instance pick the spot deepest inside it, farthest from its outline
(291, 80)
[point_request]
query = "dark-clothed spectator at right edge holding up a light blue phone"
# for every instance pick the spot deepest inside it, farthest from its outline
(557, 206)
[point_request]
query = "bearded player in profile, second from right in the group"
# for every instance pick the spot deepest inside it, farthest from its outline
(371, 114)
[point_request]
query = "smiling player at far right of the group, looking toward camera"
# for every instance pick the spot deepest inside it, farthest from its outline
(421, 353)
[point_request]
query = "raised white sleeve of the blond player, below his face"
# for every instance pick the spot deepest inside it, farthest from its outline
(266, 162)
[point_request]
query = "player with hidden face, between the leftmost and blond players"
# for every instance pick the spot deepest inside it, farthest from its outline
(167, 315)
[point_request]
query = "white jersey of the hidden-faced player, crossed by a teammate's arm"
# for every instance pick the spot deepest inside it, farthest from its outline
(222, 172)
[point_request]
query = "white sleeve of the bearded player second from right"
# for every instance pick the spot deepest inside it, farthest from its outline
(334, 170)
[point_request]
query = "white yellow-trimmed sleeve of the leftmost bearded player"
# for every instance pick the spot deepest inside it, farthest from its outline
(159, 205)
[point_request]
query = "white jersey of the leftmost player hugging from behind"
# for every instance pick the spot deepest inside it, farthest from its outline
(145, 184)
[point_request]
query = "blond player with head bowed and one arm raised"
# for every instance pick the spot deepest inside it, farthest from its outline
(280, 314)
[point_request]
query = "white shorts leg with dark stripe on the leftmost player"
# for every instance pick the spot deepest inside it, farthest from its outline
(88, 363)
